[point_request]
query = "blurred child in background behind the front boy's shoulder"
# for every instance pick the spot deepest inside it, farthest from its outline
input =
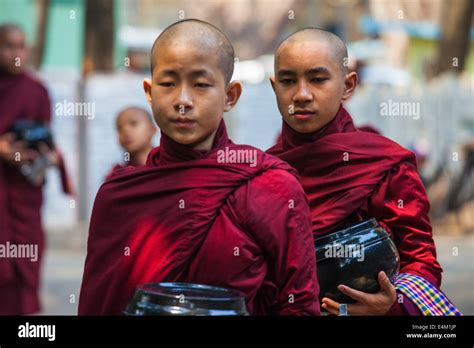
(135, 130)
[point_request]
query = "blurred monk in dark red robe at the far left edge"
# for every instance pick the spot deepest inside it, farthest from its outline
(22, 97)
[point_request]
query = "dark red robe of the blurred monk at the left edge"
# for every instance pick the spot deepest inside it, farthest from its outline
(21, 97)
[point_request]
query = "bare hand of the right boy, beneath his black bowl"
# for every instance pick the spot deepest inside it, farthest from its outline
(367, 304)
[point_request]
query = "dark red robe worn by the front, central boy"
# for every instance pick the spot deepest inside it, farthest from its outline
(188, 217)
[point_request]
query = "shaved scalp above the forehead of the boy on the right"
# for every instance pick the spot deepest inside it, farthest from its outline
(337, 47)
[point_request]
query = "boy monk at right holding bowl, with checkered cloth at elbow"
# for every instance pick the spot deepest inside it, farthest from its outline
(350, 175)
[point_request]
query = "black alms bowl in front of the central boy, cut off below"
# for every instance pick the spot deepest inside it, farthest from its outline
(185, 299)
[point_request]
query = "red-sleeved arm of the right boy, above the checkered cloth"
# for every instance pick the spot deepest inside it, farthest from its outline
(405, 214)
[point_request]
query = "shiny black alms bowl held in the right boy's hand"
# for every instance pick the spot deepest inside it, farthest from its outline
(354, 257)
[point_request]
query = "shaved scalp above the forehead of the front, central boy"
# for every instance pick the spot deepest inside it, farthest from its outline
(201, 35)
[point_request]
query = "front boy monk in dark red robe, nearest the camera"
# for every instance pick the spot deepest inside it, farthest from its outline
(201, 211)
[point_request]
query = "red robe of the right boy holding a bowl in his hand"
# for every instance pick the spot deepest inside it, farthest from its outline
(350, 175)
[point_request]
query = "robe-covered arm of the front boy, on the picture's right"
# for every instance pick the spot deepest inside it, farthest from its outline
(278, 218)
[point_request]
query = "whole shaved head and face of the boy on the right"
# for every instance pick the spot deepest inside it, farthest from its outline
(311, 79)
